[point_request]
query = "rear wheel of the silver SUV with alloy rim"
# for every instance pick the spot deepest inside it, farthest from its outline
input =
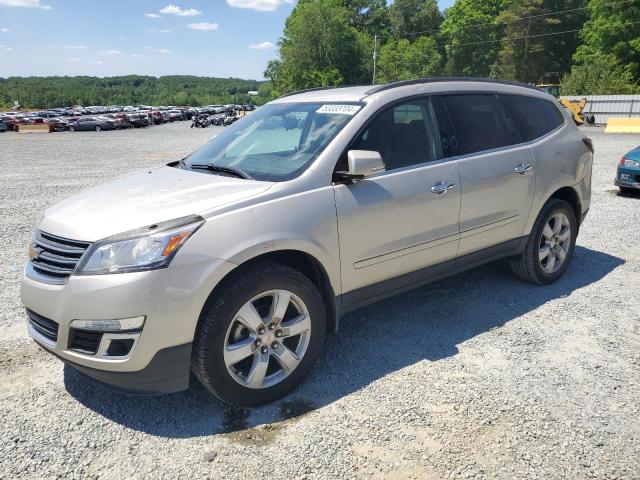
(550, 245)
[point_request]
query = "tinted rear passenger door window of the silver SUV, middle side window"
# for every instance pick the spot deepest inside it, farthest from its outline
(478, 121)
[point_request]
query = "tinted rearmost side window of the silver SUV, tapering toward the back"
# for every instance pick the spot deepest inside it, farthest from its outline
(531, 117)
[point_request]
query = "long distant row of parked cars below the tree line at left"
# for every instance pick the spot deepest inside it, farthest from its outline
(113, 118)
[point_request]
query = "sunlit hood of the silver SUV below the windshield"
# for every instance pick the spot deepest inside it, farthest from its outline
(144, 198)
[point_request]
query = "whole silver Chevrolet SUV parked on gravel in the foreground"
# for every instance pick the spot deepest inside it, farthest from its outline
(235, 261)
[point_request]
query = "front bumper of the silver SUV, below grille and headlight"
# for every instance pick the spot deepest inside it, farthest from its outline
(171, 299)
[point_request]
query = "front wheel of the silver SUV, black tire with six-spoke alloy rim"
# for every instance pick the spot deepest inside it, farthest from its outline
(259, 334)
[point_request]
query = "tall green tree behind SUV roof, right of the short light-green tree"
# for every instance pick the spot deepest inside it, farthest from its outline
(471, 30)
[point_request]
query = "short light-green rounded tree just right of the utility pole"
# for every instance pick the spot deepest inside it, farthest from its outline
(404, 60)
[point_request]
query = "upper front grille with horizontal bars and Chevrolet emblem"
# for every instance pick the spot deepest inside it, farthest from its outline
(56, 257)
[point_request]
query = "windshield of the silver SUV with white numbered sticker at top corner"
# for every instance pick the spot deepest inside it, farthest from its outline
(276, 142)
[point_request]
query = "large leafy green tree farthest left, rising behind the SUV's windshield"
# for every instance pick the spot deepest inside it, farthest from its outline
(319, 47)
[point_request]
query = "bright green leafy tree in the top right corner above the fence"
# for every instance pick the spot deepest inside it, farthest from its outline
(612, 31)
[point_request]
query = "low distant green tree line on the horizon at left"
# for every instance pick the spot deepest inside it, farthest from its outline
(49, 92)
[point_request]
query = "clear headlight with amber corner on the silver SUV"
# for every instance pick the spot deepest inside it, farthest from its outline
(148, 248)
